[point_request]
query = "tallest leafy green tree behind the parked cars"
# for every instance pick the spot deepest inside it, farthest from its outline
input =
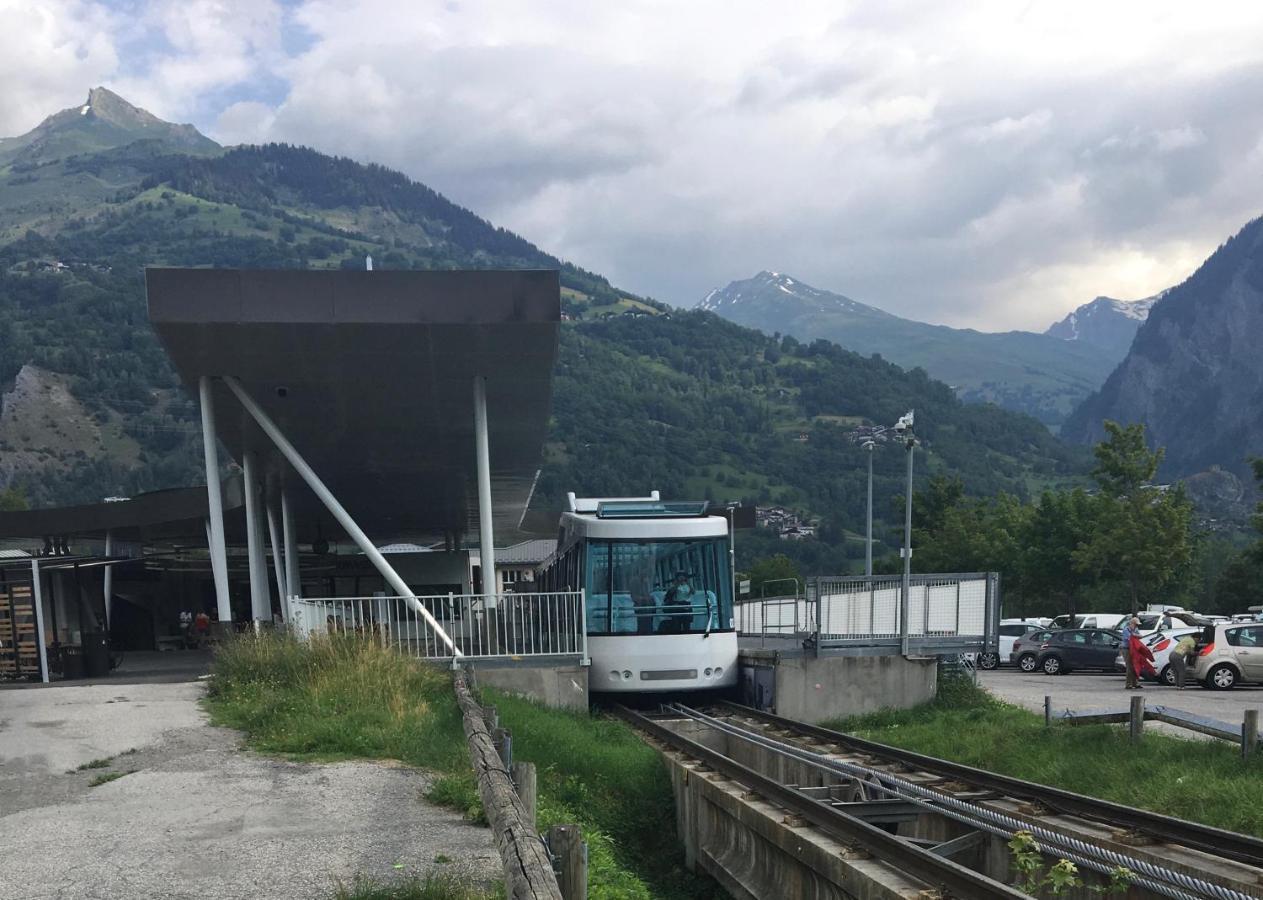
(1141, 536)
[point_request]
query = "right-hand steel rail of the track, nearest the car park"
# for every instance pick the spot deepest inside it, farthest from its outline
(1166, 829)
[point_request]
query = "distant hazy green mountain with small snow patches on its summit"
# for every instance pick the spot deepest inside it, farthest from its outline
(1034, 374)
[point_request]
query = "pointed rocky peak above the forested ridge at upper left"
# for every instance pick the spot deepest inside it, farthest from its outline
(103, 123)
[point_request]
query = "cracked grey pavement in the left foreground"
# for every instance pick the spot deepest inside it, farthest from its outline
(199, 819)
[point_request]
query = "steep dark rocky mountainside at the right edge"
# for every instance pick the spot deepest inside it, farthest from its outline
(1194, 374)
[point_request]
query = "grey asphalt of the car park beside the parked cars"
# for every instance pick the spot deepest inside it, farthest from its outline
(1083, 691)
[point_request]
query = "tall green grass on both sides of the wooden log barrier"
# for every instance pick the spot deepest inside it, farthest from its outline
(348, 699)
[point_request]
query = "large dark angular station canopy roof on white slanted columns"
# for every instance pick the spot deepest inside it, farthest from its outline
(371, 376)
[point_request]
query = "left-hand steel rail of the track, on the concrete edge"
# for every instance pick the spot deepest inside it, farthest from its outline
(909, 859)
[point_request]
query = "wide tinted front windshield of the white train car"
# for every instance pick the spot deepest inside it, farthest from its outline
(652, 588)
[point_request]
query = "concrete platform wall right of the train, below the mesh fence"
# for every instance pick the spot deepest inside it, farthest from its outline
(814, 690)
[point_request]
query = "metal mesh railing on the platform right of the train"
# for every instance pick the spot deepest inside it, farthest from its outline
(947, 613)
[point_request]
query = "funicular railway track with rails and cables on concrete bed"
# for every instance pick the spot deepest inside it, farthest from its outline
(858, 791)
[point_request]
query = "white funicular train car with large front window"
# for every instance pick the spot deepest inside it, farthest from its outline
(659, 591)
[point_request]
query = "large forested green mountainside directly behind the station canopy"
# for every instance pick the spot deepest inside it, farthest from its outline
(683, 402)
